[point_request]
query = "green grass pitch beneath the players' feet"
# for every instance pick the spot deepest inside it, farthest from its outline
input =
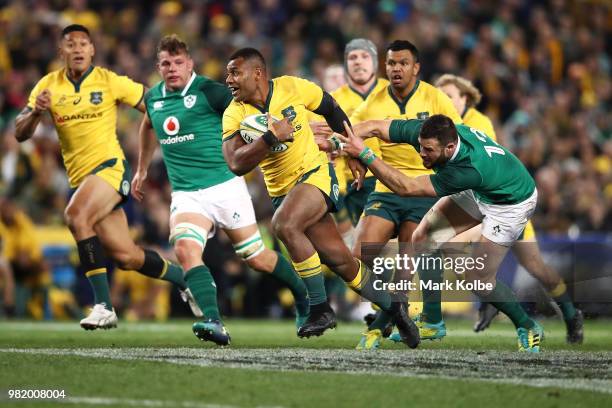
(164, 365)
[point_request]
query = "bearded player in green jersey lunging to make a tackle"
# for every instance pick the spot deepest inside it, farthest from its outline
(479, 182)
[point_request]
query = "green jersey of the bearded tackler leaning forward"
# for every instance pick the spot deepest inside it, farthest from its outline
(492, 172)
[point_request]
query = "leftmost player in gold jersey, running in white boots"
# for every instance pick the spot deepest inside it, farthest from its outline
(82, 100)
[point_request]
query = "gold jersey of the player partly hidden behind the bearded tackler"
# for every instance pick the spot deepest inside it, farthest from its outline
(424, 101)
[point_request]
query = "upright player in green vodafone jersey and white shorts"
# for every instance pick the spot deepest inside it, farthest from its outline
(183, 114)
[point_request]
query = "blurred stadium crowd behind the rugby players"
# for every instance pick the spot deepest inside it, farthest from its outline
(543, 68)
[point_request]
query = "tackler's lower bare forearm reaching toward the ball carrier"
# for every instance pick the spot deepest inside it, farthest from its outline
(398, 182)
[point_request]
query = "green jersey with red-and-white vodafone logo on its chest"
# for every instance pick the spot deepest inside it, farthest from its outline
(188, 127)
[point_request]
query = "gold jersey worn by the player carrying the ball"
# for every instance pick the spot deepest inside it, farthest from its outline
(288, 97)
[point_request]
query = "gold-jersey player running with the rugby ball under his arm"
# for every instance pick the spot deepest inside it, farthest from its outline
(300, 181)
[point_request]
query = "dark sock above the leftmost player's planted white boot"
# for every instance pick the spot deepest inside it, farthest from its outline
(93, 261)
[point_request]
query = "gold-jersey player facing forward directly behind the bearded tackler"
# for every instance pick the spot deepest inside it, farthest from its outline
(386, 214)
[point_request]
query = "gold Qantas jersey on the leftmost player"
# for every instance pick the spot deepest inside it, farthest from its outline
(85, 115)
